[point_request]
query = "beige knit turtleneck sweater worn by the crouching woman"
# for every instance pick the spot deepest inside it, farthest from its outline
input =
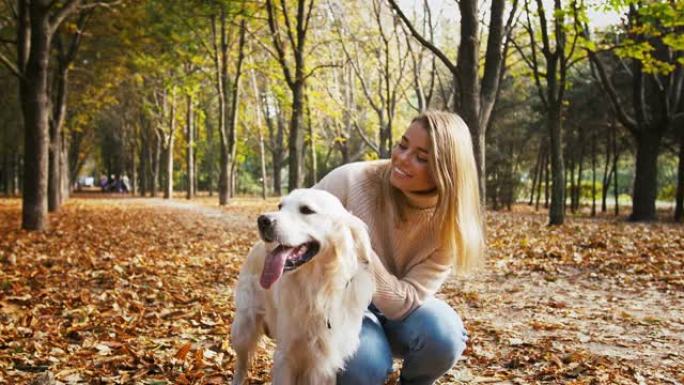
(409, 264)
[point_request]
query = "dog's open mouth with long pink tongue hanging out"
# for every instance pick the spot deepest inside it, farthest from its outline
(286, 258)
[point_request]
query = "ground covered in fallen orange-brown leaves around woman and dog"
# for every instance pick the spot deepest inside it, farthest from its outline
(138, 291)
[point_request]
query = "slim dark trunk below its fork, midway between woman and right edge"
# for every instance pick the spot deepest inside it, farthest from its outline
(556, 215)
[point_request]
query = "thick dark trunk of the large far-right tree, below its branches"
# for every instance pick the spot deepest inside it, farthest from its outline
(646, 175)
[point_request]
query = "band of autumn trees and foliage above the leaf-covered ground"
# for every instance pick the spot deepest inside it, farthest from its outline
(242, 97)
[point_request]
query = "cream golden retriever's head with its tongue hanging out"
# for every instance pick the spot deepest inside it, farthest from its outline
(310, 222)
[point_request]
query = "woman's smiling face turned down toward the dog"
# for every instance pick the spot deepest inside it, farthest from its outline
(410, 168)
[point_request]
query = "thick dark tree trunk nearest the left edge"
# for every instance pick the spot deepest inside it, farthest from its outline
(34, 104)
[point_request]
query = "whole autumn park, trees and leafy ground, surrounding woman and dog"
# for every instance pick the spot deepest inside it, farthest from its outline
(206, 112)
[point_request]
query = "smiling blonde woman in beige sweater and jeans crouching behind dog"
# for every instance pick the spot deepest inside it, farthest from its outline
(422, 209)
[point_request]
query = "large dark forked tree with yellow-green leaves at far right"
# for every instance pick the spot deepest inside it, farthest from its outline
(651, 44)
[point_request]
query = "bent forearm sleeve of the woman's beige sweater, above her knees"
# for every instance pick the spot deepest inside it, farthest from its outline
(397, 298)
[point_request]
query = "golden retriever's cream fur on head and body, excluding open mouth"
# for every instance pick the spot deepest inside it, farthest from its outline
(315, 311)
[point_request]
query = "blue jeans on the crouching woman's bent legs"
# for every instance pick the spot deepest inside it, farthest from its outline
(429, 340)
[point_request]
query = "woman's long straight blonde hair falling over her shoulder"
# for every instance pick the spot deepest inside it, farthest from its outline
(457, 216)
